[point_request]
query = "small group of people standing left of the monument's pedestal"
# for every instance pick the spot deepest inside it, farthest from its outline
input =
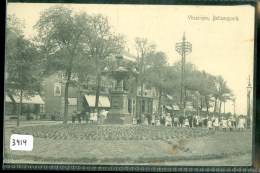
(90, 117)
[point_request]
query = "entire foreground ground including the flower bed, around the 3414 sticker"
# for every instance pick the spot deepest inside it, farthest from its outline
(147, 145)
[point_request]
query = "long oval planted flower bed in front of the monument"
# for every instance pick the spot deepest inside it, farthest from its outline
(111, 132)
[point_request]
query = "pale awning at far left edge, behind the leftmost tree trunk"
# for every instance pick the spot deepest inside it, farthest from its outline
(32, 100)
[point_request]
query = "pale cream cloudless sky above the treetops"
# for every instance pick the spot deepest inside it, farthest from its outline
(219, 47)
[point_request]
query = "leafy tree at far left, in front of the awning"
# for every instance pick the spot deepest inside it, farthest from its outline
(23, 64)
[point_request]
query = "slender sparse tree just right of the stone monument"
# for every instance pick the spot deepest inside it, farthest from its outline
(143, 48)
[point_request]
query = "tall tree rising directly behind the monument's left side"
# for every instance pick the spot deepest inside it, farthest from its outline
(101, 44)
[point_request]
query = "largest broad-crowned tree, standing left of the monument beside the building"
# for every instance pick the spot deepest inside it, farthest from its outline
(61, 39)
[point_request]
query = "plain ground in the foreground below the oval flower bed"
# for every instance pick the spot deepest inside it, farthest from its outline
(233, 147)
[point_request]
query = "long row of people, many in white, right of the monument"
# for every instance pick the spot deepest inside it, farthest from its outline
(211, 122)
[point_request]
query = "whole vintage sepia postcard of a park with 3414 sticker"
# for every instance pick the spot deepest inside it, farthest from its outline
(131, 85)
